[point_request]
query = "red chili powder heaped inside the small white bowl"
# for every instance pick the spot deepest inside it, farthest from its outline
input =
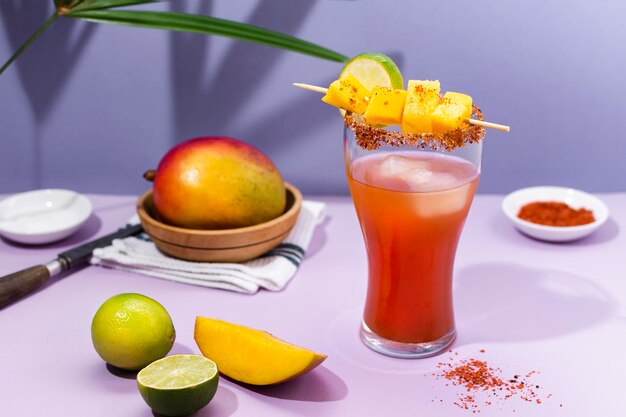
(554, 213)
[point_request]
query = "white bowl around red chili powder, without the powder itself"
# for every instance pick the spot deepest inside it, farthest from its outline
(574, 198)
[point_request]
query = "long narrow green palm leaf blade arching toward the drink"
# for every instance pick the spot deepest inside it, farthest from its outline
(208, 26)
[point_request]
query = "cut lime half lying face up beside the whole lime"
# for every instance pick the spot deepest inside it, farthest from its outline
(178, 385)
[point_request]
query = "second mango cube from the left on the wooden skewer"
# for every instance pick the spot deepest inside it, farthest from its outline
(385, 106)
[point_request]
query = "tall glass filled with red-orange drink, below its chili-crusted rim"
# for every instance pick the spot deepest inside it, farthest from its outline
(411, 204)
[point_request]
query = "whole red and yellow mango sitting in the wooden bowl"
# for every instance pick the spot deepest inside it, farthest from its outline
(217, 183)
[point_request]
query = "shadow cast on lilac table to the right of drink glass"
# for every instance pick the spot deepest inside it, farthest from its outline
(503, 302)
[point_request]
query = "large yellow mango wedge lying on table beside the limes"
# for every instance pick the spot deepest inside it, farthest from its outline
(252, 356)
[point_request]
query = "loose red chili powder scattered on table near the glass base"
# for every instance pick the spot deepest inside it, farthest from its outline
(484, 385)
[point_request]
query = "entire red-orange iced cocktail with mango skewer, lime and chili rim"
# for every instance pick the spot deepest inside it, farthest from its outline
(413, 160)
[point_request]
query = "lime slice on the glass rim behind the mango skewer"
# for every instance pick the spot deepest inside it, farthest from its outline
(374, 69)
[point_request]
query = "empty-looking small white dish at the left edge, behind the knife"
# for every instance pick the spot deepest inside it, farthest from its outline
(43, 216)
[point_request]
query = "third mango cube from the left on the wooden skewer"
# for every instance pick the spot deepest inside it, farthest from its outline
(421, 100)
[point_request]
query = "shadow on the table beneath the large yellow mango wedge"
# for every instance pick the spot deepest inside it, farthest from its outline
(319, 385)
